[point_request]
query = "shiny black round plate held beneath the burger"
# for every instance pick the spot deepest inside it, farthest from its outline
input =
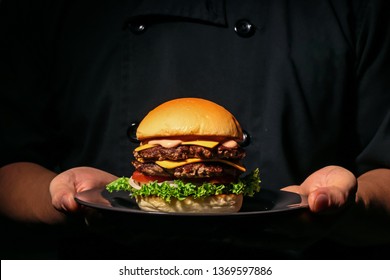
(266, 202)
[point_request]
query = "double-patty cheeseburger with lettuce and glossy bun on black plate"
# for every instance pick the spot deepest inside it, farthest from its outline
(189, 160)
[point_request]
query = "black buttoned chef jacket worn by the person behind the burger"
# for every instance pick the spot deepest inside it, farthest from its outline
(308, 80)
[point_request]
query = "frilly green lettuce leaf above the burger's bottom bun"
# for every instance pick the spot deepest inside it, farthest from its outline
(247, 185)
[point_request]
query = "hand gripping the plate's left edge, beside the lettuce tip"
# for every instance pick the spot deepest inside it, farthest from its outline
(66, 184)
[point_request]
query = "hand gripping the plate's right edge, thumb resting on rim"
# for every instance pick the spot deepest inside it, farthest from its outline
(328, 189)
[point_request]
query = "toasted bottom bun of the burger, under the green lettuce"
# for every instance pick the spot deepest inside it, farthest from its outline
(223, 203)
